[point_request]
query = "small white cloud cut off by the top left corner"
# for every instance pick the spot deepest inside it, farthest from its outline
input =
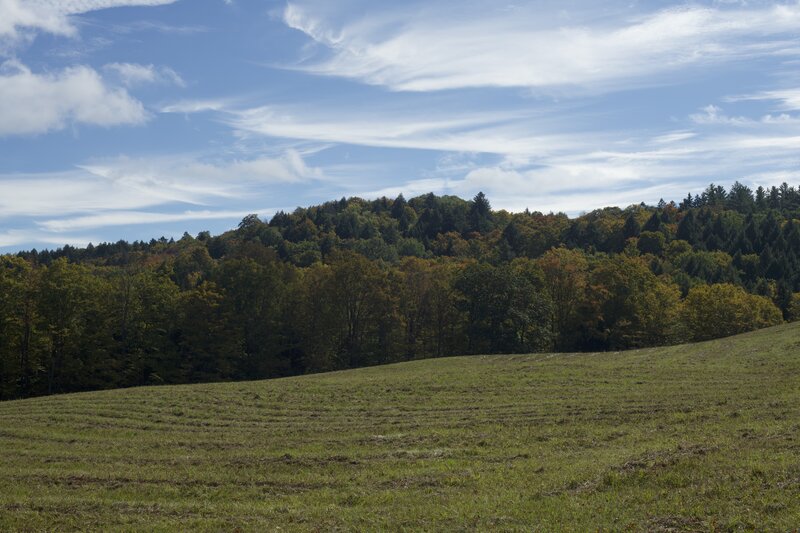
(53, 16)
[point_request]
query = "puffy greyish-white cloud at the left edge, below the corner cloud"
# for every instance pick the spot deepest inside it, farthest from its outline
(33, 103)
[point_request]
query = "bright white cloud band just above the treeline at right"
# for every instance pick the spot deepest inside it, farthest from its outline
(578, 181)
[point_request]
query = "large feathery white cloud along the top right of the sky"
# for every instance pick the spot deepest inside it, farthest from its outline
(434, 47)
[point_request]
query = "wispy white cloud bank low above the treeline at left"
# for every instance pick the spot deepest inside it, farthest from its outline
(59, 208)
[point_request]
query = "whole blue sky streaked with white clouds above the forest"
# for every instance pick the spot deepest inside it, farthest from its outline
(136, 119)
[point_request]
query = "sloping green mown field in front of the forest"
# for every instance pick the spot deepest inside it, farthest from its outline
(699, 437)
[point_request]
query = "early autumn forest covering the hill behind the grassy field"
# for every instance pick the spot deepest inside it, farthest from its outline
(353, 283)
